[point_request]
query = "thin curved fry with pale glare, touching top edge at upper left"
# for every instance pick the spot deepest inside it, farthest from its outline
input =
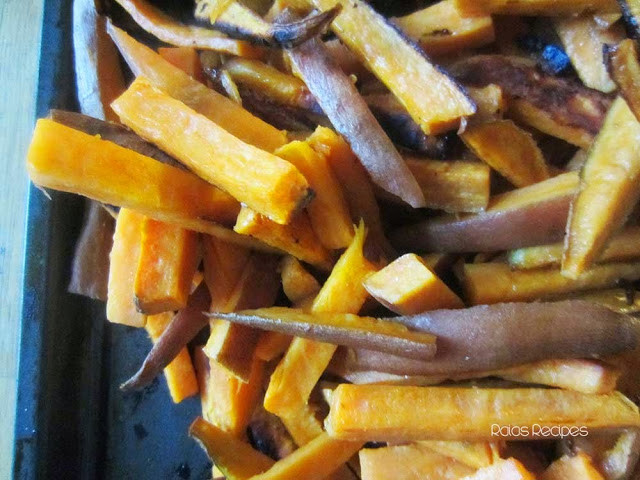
(170, 31)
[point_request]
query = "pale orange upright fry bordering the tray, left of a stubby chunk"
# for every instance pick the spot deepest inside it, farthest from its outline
(124, 257)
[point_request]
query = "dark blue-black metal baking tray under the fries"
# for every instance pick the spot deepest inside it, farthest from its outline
(72, 421)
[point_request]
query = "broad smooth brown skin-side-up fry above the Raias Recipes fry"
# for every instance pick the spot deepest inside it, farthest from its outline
(520, 333)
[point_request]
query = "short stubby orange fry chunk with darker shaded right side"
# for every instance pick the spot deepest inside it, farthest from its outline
(169, 258)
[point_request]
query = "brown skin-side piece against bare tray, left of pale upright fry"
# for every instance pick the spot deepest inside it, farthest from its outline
(90, 268)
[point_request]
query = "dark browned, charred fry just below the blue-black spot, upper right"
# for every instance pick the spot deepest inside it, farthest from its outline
(556, 106)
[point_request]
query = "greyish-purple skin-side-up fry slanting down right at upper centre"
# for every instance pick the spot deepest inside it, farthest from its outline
(351, 117)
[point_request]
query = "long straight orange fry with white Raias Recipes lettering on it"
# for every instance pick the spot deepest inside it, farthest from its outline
(403, 414)
